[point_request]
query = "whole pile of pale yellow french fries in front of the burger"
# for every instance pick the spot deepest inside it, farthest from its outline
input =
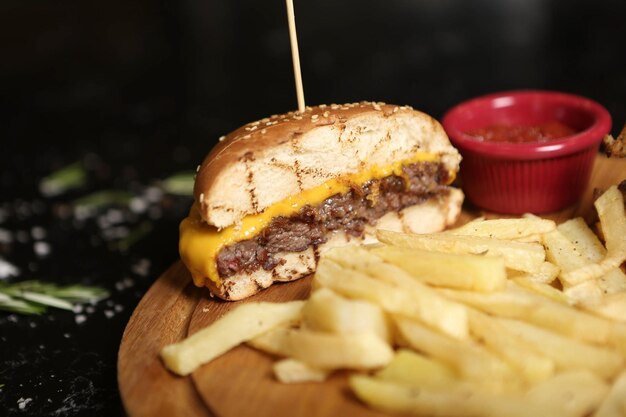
(507, 317)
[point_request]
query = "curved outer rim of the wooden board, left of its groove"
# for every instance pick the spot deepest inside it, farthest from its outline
(162, 317)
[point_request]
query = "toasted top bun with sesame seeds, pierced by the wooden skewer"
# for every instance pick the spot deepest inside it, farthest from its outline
(268, 160)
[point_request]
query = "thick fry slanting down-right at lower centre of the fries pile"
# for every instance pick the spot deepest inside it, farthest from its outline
(469, 359)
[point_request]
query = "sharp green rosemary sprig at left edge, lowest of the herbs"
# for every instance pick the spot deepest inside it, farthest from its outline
(34, 297)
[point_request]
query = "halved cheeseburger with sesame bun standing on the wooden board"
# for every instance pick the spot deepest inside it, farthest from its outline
(274, 194)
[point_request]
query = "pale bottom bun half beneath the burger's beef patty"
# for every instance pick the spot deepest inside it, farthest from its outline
(431, 216)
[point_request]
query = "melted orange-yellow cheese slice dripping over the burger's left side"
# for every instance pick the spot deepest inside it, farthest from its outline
(200, 243)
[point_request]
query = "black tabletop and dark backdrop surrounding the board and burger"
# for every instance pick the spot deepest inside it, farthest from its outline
(139, 90)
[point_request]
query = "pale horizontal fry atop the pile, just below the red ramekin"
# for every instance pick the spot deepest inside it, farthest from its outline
(508, 229)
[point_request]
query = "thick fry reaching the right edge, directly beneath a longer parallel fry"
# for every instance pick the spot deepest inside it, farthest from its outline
(567, 354)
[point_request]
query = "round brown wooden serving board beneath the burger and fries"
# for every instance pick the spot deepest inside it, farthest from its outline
(240, 383)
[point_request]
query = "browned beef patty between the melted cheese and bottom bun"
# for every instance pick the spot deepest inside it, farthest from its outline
(350, 212)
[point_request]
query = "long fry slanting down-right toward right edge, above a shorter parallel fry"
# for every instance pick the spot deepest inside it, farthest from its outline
(521, 304)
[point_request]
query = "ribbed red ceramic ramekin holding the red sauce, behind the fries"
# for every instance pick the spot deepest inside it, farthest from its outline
(535, 177)
